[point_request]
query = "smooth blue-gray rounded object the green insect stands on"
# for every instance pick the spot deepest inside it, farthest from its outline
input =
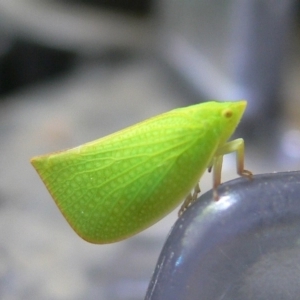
(244, 246)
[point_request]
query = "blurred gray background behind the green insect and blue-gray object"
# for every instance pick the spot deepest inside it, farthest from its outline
(72, 71)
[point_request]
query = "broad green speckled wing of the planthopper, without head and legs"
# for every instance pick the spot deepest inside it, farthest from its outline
(134, 177)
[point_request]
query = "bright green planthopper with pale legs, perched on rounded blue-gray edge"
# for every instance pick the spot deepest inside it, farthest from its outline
(114, 187)
